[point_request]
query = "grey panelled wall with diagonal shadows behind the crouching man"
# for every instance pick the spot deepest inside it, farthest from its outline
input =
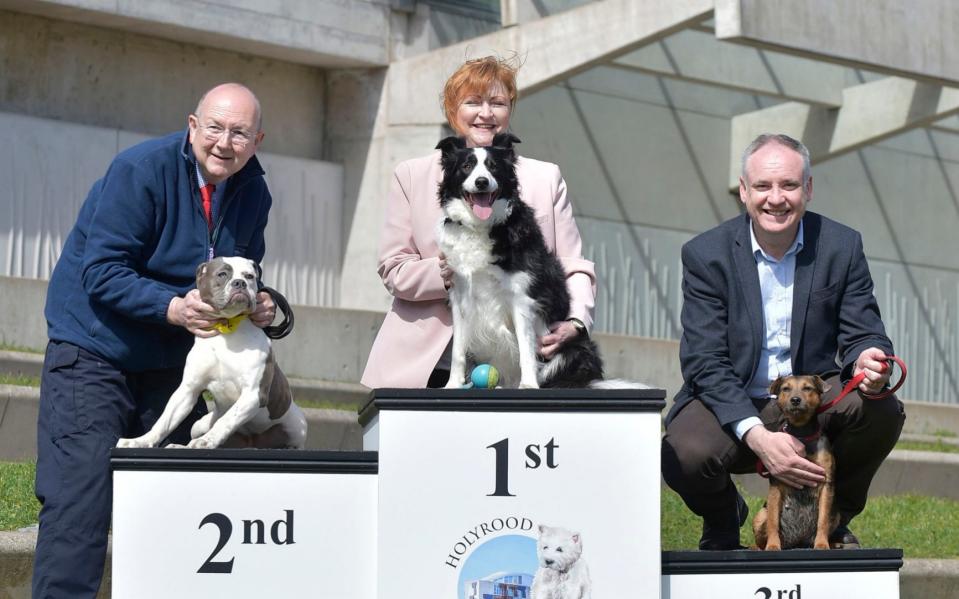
(646, 159)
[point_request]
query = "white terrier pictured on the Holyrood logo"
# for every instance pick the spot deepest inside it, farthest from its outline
(561, 574)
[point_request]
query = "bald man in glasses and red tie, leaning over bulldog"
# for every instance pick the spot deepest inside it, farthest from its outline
(122, 314)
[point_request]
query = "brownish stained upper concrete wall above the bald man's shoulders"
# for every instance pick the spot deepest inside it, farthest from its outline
(103, 77)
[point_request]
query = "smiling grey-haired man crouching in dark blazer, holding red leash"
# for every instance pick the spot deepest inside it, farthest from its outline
(777, 291)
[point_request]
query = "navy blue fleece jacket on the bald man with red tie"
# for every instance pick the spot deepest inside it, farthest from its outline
(136, 244)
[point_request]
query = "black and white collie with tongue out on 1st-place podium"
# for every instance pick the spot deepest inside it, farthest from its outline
(507, 286)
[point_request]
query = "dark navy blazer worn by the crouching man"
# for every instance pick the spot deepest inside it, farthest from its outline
(834, 316)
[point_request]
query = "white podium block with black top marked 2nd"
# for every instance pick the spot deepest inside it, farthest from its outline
(243, 523)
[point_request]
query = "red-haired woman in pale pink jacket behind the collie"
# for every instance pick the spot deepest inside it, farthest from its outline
(412, 347)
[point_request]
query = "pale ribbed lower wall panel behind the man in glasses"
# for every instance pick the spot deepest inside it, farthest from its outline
(303, 242)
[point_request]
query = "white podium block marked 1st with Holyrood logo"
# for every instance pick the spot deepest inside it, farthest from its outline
(467, 478)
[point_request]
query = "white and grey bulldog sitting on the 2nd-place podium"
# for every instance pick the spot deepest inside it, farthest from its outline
(252, 401)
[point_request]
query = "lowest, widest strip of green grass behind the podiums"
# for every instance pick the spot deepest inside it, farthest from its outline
(925, 527)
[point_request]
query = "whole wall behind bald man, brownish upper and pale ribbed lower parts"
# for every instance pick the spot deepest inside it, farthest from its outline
(73, 95)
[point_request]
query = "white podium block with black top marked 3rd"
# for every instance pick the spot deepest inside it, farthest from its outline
(794, 574)
